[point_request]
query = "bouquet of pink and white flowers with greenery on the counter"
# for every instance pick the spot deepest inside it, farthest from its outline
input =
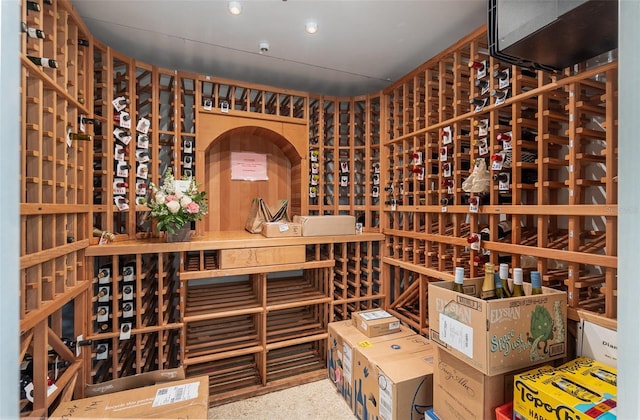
(176, 202)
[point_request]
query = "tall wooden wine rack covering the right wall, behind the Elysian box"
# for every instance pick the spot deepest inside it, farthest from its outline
(561, 195)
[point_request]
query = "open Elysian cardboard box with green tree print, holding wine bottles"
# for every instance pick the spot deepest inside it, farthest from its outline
(500, 335)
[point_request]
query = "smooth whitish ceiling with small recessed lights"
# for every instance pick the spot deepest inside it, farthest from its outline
(361, 46)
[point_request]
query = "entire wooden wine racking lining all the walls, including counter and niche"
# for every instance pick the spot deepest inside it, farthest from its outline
(378, 157)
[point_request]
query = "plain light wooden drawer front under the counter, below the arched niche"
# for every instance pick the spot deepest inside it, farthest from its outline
(253, 257)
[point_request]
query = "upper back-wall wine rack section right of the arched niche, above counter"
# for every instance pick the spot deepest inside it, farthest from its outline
(344, 157)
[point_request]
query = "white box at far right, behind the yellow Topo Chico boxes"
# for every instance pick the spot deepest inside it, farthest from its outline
(597, 342)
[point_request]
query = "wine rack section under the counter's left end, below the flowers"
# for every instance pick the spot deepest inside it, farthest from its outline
(134, 315)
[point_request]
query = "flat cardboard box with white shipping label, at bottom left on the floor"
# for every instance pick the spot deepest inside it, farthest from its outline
(186, 399)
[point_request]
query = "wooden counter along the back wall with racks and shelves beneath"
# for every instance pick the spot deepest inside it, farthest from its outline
(266, 324)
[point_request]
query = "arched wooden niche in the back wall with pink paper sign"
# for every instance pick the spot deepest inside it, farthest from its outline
(283, 145)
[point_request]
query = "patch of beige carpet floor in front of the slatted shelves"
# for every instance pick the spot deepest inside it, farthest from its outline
(317, 400)
